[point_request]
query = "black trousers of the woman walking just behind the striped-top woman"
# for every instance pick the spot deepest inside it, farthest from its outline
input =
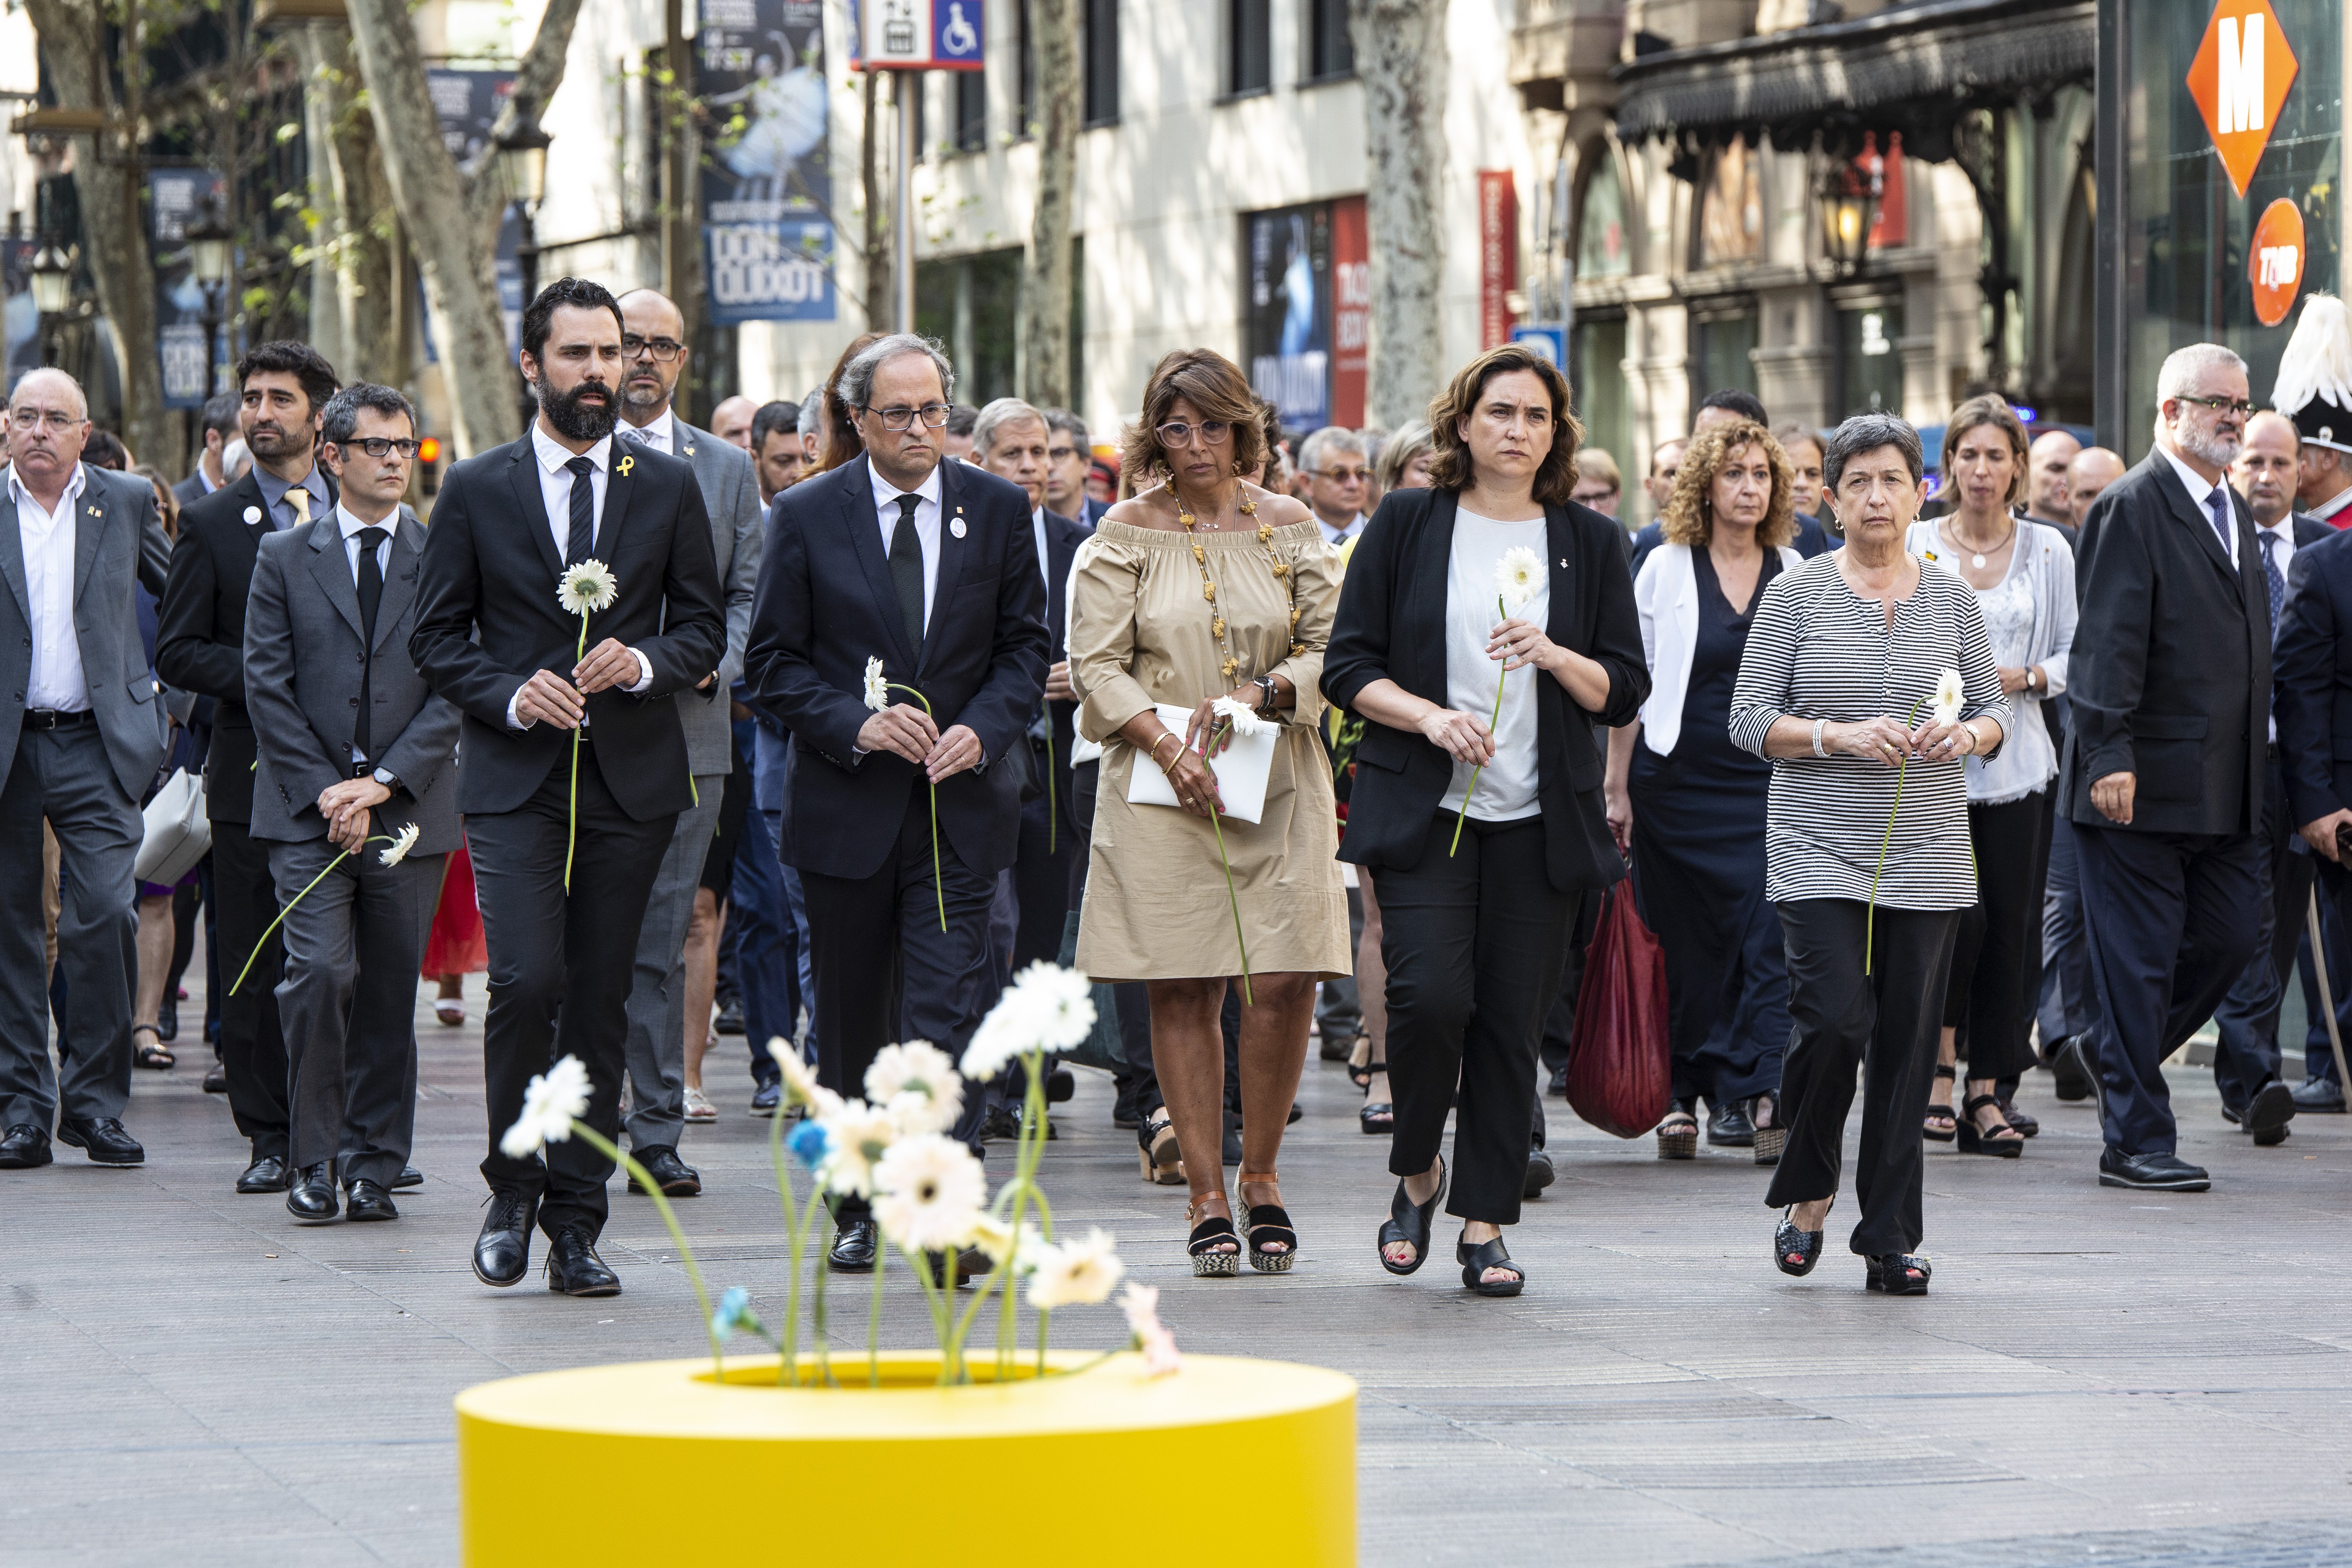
(1998, 944)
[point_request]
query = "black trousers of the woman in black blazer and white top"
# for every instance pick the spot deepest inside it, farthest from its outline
(1476, 944)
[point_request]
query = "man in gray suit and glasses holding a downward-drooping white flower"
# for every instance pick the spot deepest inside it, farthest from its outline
(352, 751)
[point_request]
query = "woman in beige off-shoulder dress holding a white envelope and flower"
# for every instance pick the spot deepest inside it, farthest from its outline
(1198, 589)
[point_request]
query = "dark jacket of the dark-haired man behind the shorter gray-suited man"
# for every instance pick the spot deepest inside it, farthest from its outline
(201, 631)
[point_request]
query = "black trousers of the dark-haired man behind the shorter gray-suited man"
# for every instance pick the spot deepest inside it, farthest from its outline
(253, 1047)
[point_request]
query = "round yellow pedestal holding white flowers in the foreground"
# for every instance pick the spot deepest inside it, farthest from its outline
(1231, 1461)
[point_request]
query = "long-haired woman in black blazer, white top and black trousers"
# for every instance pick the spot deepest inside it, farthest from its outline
(1481, 913)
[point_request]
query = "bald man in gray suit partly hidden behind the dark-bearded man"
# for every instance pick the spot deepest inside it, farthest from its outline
(653, 359)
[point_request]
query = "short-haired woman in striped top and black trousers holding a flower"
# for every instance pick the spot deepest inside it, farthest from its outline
(1866, 847)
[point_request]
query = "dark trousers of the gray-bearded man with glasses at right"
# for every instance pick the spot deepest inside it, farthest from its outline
(2172, 920)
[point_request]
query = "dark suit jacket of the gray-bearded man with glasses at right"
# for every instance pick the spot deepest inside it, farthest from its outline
(2172, 662)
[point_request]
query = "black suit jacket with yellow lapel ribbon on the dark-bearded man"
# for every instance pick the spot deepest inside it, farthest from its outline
(490, 570)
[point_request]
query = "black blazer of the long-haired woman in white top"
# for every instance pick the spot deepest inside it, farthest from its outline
(1394, 624)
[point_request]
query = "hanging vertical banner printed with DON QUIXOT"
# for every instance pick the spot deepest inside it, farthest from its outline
(768, 177)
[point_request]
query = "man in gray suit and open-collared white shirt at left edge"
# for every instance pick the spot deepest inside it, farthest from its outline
(81, 735)
